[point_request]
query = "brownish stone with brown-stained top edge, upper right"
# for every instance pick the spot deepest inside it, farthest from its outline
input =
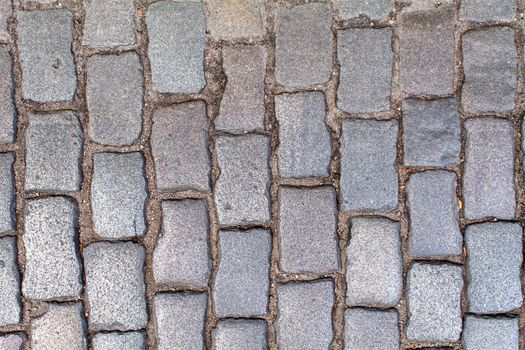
(426, 51)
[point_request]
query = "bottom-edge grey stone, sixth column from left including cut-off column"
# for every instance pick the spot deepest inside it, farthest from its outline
(304, 317)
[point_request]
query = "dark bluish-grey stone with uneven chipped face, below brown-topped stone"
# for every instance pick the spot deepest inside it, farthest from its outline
(431, 132)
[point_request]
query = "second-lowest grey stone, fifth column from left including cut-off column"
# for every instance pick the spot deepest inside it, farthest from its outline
(242, 282)
